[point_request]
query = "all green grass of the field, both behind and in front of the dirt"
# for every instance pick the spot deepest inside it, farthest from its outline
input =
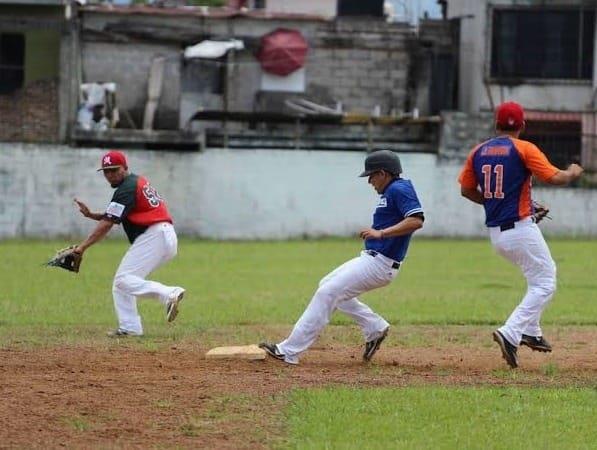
(247, 287)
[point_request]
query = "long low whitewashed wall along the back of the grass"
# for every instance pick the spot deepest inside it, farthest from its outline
(249, 194)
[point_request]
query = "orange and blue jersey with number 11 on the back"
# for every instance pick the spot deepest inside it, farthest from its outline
(502, 168)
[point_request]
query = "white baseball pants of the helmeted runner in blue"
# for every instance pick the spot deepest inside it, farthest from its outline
(339, 290)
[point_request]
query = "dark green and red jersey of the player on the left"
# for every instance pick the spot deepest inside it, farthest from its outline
(137, 205)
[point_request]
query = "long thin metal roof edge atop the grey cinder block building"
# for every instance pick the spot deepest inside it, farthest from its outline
(216, 13)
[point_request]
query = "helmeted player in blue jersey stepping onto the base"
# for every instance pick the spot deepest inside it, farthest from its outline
(397, 216)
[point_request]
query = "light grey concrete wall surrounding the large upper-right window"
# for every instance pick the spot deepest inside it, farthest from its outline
(475, 45)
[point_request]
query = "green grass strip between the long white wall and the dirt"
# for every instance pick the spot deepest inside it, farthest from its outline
(443, 282)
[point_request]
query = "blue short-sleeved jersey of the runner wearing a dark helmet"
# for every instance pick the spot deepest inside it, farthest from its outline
(398, 201)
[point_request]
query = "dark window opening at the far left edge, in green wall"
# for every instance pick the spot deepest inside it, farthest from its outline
(12, 62)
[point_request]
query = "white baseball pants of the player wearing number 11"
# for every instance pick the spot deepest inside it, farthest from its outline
(525, 247)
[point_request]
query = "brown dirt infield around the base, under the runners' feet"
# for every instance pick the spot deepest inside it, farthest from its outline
(85, 397)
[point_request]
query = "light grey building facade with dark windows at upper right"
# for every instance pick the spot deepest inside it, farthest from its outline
(540, 53)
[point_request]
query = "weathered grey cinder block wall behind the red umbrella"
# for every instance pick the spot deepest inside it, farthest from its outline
(361, 63)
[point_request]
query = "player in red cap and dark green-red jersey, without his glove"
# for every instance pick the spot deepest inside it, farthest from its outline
(148, 225)
